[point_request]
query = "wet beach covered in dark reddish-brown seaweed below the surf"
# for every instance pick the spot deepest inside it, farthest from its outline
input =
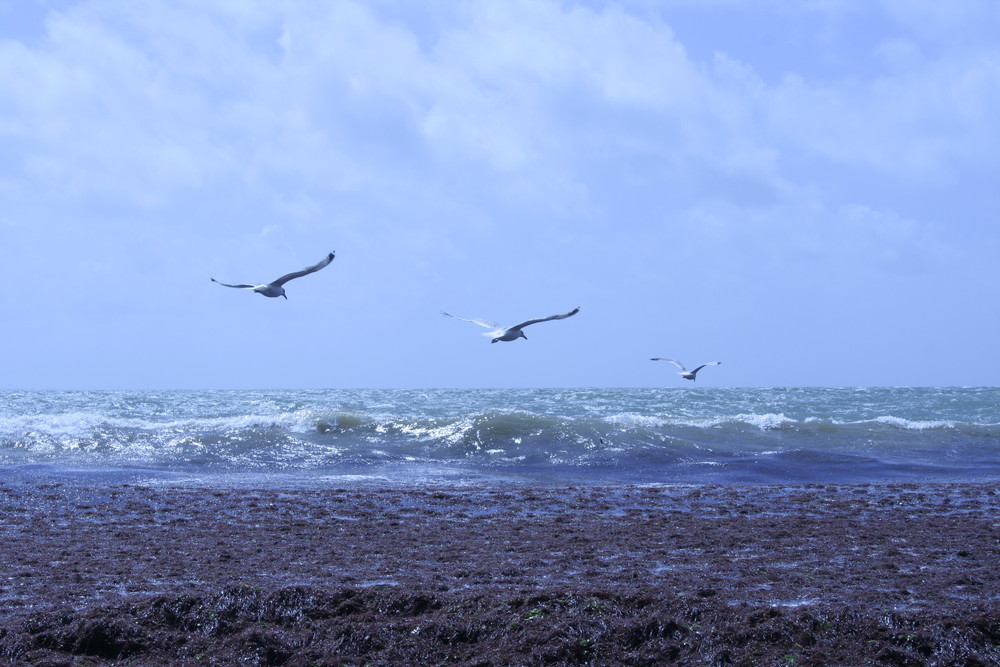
(116, 573)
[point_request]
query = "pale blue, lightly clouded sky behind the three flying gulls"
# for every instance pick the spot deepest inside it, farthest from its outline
(805, 190)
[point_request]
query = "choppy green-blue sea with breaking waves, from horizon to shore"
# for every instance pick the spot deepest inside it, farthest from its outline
(686, 435)
